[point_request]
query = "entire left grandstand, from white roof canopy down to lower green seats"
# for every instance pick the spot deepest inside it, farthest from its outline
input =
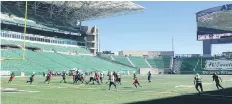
(52, 36)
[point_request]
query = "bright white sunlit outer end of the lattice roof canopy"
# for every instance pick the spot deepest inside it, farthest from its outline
(87, 10)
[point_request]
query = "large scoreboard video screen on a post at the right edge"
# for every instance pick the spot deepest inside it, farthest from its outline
(215, 23)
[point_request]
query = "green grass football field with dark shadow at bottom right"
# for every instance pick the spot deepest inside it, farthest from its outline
(161, 87)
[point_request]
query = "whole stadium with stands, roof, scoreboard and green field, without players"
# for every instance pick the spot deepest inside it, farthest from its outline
(47, 38)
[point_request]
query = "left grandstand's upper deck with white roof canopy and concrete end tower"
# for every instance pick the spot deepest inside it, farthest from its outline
(62, 19)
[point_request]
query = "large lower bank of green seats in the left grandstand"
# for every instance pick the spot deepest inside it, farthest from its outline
(39, 61)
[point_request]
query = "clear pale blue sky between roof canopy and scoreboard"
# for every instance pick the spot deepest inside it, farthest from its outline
(153, 29)
